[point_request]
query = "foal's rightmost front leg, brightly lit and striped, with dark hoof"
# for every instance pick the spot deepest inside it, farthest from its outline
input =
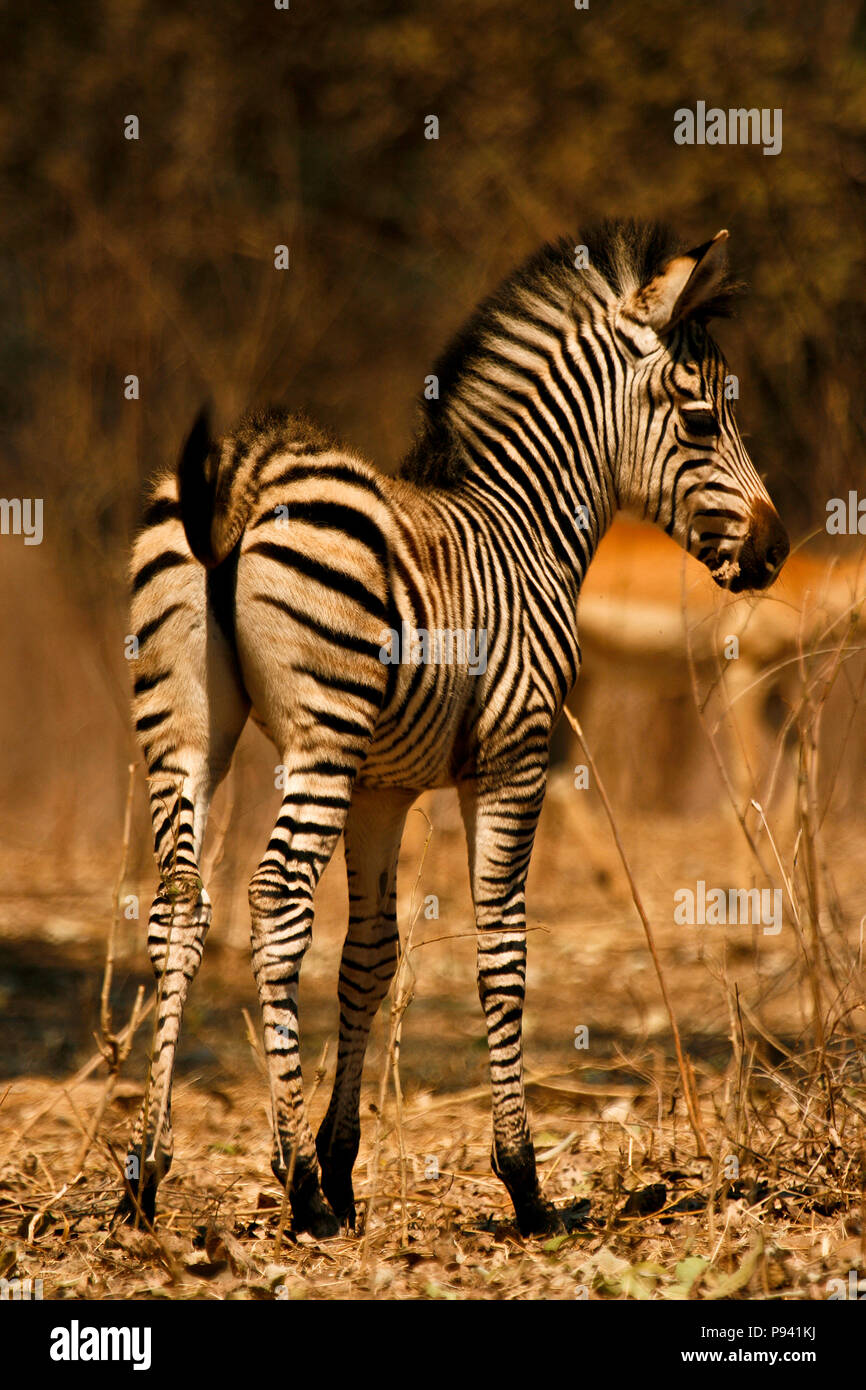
(501, 829)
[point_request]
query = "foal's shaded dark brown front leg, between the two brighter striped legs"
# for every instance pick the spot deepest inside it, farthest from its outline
(375, 828)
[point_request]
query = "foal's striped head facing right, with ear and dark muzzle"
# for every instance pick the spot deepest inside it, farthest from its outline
(683, 462)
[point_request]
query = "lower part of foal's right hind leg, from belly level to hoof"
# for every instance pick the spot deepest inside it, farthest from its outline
(281, 908)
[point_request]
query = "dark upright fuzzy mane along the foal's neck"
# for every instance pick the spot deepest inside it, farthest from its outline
(623, 255)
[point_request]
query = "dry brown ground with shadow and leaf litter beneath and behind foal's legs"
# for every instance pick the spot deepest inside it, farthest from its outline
(776, 1209)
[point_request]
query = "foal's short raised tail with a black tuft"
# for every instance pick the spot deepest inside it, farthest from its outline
(218, 490)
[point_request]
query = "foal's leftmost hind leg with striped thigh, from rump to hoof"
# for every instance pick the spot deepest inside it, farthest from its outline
(190, 710)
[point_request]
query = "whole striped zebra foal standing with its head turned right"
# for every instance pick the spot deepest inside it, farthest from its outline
(277, 569)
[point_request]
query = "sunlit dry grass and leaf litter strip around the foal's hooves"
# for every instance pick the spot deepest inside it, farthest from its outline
(793, 1221)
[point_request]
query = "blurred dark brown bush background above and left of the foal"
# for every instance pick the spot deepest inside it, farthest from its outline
(307, 127)
